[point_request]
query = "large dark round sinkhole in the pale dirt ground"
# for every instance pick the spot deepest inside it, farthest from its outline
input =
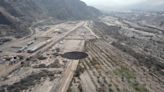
(76, 55)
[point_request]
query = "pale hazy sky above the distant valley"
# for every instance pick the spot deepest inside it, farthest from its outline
(123, 3)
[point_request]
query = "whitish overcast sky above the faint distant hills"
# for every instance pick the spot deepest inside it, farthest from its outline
(127, 4)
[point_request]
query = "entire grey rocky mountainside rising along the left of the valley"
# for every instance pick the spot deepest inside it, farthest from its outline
(19, 14)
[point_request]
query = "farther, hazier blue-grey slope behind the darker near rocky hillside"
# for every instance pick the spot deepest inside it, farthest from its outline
(67, 9)
